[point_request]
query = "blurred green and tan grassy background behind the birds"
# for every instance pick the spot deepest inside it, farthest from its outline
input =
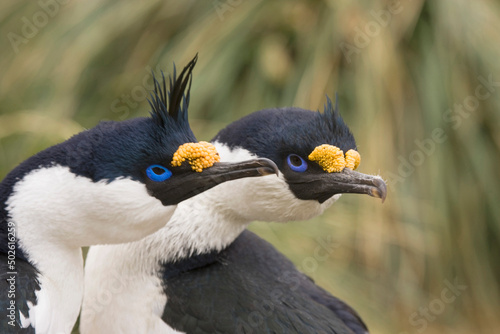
(412, 82)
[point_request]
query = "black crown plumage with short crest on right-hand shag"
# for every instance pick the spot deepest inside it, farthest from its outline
(276, 133)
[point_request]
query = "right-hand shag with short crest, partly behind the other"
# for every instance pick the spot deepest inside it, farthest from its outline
(204, 273)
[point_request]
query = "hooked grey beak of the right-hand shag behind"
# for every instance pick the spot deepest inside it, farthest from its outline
(322, 186)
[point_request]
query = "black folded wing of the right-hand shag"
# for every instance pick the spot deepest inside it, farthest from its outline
(250, 288)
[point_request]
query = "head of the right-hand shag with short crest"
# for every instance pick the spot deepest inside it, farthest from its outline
(315, 152)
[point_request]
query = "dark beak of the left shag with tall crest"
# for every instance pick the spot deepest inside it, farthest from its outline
(188, 183)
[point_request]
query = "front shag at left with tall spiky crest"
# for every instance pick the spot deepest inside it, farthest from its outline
(114, 183)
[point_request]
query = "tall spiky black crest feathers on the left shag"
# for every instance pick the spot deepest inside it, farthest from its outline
(172, 104)
